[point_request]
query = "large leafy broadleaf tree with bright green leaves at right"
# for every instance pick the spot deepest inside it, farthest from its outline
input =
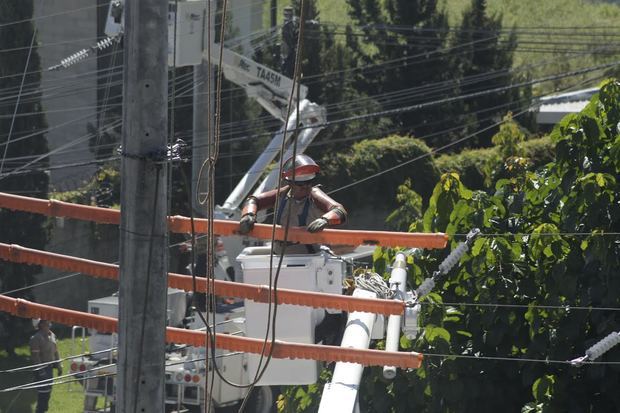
(538, 260)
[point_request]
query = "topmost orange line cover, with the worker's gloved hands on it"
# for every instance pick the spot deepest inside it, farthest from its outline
(181, 224)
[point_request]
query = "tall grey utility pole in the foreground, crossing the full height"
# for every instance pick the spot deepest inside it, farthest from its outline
(144, 235)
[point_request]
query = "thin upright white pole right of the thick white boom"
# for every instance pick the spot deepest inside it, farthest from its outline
(398, 282)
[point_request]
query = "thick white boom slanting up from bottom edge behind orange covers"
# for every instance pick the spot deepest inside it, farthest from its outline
(340, 395)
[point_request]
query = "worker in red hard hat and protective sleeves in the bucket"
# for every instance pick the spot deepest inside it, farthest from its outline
(309, 206)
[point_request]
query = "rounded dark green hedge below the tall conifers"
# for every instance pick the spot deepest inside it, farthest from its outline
(371, 156)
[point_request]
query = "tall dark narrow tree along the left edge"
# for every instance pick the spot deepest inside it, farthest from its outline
(20, 227)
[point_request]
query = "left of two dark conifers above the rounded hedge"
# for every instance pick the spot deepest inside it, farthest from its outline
(407, 37)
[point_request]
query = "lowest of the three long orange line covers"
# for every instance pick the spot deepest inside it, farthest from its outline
(282, 350)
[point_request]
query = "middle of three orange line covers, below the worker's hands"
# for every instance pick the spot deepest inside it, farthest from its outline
(258, 293)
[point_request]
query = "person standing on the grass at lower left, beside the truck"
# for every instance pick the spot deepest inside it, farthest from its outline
(43, 349)
